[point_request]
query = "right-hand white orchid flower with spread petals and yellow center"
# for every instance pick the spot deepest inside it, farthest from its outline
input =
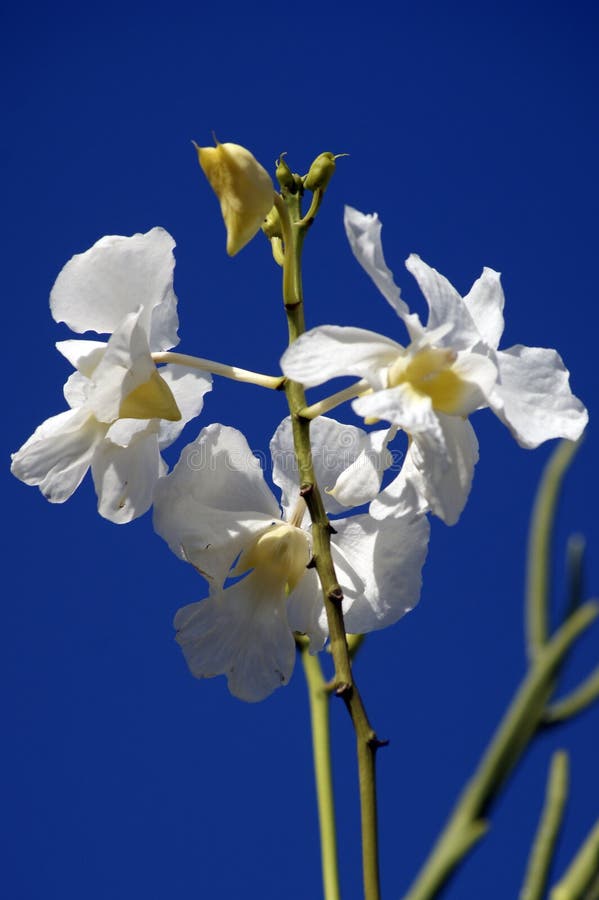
(449, 369)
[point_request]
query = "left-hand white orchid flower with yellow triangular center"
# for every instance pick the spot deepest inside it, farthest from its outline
(123, 410)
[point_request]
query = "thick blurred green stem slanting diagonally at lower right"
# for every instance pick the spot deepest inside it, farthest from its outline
(521, 721)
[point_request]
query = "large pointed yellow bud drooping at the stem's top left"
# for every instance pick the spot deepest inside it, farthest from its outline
(243, 187)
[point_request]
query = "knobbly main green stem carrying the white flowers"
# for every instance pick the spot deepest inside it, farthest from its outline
(289, 210)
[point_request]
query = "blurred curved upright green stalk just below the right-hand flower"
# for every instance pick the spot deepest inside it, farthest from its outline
(539, 546)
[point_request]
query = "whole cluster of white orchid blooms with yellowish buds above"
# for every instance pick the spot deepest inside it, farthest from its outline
(215, 509)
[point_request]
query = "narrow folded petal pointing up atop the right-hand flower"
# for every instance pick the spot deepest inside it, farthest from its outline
(364, 236)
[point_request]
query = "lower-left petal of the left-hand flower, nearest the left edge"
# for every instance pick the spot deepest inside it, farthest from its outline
(58, 454)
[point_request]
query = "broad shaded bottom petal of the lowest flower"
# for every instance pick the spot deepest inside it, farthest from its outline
(241, 632)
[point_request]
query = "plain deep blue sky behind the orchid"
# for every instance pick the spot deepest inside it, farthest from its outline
(472, 130)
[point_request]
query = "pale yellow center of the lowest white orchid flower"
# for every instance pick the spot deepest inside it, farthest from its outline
(280, 554)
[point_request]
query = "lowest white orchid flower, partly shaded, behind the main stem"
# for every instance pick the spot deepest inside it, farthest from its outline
(216, 511)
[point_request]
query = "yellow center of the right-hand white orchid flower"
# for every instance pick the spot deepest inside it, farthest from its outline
(430, 372)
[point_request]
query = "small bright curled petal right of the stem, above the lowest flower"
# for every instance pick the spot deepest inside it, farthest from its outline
(360, 482)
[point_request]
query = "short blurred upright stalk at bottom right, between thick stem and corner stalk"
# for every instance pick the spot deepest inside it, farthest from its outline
(537, 871)
